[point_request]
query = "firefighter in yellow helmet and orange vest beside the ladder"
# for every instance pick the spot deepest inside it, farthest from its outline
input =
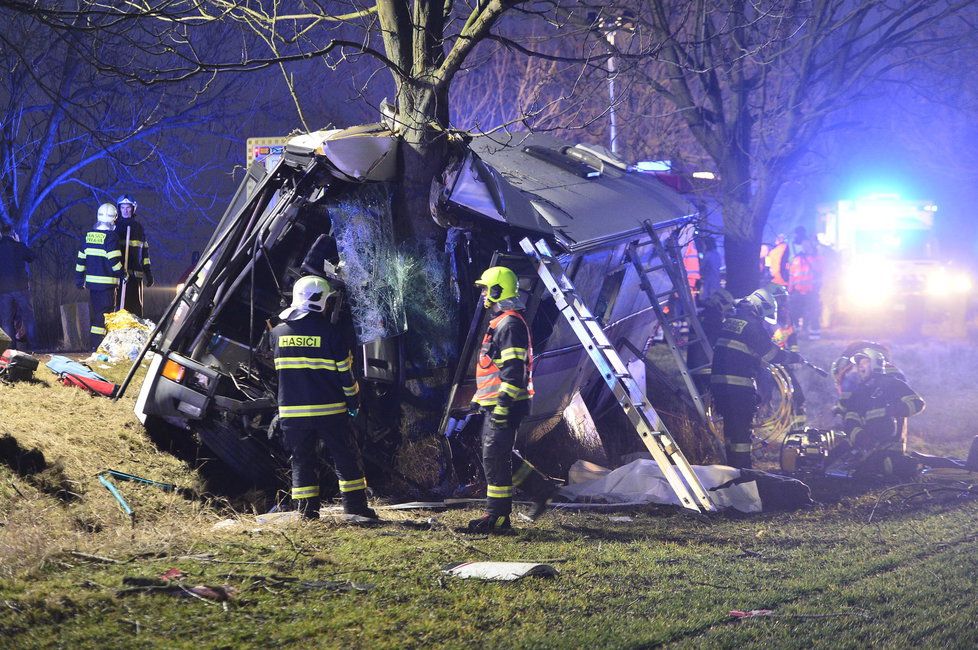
(504, 387)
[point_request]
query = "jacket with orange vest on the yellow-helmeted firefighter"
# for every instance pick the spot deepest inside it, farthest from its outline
(504, 369)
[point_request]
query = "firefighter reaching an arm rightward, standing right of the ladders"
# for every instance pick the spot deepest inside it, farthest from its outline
(742, 350)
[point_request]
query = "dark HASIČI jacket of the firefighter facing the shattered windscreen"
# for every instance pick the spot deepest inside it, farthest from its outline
(315, 375)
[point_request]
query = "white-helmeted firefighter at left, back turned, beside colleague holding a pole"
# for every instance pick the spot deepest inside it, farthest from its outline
(99, 267)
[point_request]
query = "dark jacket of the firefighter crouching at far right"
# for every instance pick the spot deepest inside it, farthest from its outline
(874, 407)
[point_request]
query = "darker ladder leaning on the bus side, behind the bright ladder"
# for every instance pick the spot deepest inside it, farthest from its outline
(664, 260)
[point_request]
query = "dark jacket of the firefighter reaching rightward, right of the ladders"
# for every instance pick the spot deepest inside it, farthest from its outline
(741, 349)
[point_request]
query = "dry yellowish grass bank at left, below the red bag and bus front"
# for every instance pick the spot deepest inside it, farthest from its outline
(64, 507)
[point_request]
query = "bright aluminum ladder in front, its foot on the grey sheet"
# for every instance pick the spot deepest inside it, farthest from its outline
(630, 396)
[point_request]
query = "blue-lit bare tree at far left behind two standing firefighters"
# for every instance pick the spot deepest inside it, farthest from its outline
(69, 135)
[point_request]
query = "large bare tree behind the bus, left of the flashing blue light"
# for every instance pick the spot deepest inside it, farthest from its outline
(756, 82)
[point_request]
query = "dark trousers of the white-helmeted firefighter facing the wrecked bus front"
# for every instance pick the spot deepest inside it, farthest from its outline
(302, 443)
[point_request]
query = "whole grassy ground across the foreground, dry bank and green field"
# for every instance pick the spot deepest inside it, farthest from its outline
(873, 566)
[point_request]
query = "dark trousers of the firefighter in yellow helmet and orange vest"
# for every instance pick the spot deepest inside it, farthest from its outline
(506, 469)
